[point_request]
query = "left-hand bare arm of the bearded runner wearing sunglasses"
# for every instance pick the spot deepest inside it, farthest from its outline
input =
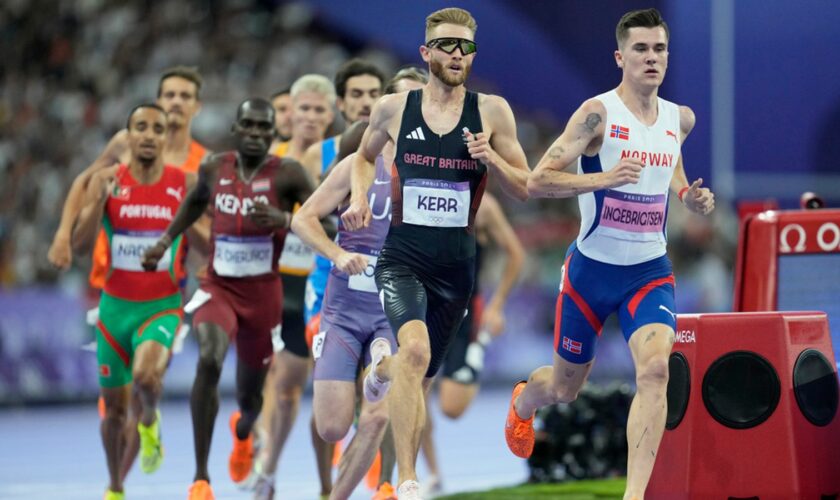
(383, 127)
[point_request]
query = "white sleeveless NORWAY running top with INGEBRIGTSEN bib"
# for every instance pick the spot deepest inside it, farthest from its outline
(626, 225)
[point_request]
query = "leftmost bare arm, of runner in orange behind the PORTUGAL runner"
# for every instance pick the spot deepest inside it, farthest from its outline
(60, 254)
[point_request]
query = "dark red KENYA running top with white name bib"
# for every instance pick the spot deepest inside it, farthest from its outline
(239, 248)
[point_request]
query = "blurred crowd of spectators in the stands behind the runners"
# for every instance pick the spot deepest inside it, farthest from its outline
(69, 75)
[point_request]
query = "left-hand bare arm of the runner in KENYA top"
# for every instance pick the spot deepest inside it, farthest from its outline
(194, 205)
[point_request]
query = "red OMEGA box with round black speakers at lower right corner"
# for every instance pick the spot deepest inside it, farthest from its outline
(759, 394)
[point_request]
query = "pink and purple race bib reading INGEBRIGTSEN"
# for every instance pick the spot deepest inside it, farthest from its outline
(633, 213)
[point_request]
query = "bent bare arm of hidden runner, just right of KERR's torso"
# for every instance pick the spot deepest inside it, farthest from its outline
(491, 219)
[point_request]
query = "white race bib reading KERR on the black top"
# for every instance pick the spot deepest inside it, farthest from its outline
(436, 203)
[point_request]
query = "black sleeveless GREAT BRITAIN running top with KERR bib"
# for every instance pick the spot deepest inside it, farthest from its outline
(436, 186)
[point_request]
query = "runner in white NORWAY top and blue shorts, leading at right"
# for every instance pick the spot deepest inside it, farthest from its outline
(626, 144)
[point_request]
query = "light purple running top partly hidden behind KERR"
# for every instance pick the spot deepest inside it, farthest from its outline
(369, 241)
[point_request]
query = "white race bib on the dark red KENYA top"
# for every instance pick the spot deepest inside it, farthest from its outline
(240, 256)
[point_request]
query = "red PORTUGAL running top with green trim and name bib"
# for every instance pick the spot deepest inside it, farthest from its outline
(135, 217)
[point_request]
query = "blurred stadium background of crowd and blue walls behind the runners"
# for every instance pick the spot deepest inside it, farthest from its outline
(762, 78)
